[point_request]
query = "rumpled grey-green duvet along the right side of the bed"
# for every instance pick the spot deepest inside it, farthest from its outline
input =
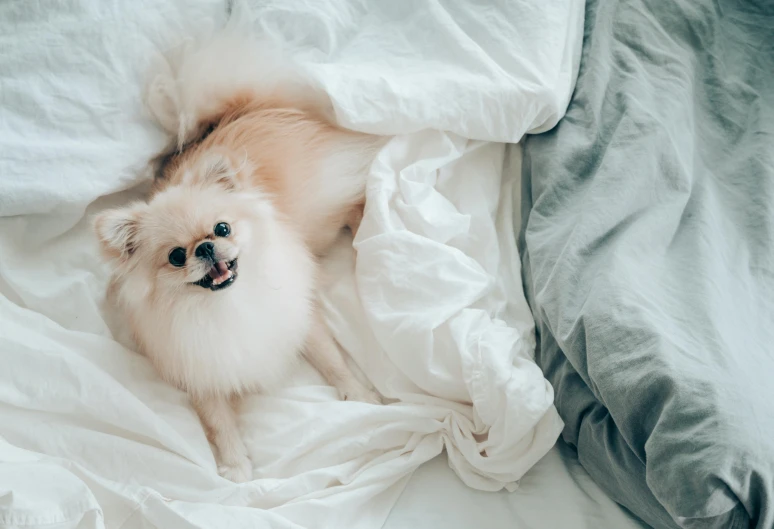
(650, 259)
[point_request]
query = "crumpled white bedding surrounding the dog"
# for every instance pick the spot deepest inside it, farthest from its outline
(432, 311)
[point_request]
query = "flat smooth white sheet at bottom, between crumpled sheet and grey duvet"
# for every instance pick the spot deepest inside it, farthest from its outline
(557, 493)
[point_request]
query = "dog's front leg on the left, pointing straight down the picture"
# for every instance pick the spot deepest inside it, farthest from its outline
(220, 421)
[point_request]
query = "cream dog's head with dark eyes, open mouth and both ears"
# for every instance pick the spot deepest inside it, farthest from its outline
(189, 237)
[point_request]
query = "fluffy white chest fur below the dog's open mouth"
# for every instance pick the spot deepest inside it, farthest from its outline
(247, 337)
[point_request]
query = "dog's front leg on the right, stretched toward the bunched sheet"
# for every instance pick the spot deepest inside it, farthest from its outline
(324, 354)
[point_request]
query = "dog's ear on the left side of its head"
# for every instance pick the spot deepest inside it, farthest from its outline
(117, 230)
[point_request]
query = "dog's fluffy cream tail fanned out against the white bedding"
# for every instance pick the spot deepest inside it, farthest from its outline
(199, 83)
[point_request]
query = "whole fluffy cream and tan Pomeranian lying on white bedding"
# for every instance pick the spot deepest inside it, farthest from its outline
(216, 272)
